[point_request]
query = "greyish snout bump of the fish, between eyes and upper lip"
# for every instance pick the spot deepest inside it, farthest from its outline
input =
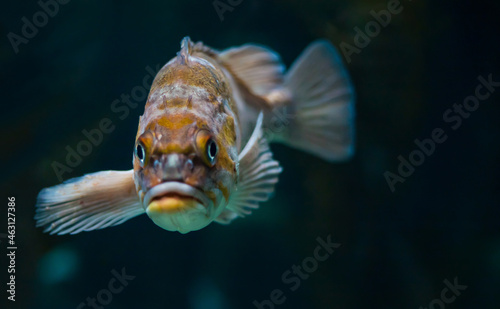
(173, 167)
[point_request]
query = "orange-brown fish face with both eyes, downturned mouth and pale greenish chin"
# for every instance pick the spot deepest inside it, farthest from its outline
(184, 176)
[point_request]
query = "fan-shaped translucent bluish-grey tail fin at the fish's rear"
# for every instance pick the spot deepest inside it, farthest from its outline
(323, 104)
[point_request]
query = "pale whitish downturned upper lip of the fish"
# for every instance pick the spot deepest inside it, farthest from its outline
(179, 188)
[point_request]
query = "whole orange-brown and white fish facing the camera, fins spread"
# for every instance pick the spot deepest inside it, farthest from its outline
(201, 153)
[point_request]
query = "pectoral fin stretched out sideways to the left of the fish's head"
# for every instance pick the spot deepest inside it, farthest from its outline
(87, 203)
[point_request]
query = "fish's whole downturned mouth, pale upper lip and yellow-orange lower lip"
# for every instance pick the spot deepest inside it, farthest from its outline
(175, 196)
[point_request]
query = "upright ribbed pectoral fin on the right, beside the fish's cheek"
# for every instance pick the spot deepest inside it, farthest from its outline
(258, 173)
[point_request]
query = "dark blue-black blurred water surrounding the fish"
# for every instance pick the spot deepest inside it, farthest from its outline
(400, 243)
